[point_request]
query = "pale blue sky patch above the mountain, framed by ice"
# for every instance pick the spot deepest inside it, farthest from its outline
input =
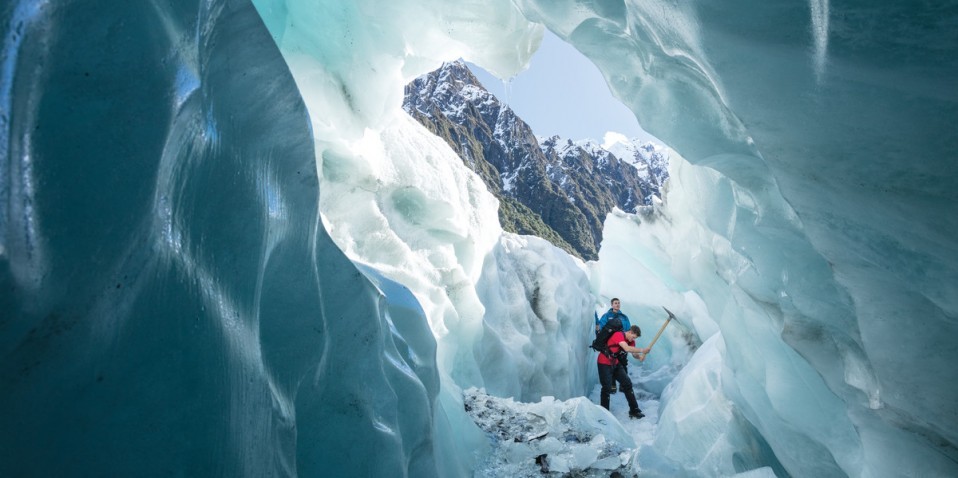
(562, 92)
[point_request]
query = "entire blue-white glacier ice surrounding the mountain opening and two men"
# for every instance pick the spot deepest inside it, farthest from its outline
(225, 250)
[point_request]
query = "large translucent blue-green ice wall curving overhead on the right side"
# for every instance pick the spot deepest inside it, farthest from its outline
(818, 208)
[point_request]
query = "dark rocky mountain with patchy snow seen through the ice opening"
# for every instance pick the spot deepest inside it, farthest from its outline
(558, 190)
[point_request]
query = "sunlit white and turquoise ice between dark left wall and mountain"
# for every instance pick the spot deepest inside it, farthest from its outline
(510, 314)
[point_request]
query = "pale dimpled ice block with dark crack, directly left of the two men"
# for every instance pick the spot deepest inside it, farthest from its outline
(536, 327)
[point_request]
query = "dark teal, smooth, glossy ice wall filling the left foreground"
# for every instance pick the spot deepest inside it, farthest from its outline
(171, 303)
